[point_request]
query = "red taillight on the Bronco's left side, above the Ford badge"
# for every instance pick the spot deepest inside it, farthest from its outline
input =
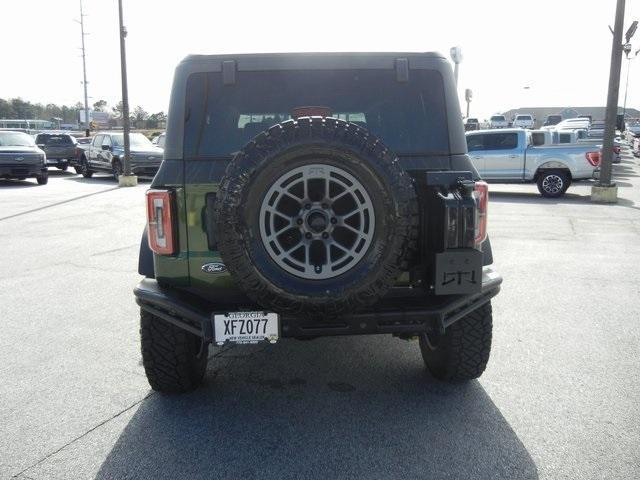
(160, 222)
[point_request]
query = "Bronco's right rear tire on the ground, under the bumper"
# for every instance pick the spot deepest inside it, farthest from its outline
(463, 351)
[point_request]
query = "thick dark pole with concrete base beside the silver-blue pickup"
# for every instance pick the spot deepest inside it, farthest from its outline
(606, 191)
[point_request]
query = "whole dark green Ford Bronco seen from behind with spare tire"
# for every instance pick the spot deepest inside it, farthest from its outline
(307, 195)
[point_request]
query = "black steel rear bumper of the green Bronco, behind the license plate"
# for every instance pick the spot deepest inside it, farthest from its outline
(397, 315)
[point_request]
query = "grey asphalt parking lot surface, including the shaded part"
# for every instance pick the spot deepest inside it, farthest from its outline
(559, 398)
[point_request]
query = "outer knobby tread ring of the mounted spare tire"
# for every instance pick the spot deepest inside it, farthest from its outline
(240, 171)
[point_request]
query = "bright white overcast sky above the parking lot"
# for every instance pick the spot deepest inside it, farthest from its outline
(559, 49)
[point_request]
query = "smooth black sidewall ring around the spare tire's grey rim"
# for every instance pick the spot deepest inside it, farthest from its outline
(373, 180)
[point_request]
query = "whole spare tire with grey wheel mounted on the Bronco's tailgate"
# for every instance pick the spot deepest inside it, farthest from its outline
(315, 216)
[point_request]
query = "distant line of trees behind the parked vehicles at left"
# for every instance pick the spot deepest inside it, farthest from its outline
(17, 108)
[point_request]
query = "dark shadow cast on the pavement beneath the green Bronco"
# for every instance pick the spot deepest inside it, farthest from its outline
(331, 408)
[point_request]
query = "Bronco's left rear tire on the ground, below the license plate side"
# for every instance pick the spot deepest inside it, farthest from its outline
(170, 355)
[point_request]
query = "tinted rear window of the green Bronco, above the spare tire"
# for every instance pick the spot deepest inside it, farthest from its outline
(409, 117)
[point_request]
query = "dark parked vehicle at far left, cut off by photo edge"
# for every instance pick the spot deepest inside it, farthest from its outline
(21, 158)
